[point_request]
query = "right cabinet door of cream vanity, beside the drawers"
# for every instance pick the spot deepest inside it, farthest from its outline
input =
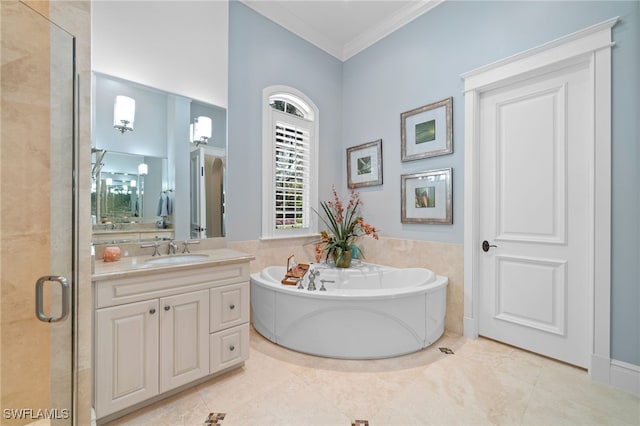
(184, 338)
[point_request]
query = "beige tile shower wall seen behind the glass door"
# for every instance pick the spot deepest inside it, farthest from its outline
(25, 83)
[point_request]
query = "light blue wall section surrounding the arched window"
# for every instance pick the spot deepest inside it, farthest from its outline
(262, 54)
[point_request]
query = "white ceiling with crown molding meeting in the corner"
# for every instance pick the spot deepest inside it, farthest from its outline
(342, 28)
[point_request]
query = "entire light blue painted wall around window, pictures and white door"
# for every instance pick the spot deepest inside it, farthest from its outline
(361, 101)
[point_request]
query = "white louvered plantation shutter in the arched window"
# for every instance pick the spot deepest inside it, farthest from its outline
(292, 173)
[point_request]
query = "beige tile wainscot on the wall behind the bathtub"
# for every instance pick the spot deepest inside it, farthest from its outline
(442, 258)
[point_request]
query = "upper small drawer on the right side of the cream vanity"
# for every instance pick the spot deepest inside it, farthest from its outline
(229, 306)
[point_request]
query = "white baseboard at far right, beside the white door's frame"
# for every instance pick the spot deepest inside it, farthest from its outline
(618, 374)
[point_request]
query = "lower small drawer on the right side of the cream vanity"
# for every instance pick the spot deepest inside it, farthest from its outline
(228, 347)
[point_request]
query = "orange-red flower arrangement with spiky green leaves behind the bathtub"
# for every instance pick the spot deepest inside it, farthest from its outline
(345, 225)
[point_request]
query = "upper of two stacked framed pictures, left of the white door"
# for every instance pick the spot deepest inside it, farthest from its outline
(427, 131)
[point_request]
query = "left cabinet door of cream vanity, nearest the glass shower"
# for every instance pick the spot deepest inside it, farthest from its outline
(126, 355)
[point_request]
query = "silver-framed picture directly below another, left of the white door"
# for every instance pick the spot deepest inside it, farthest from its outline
(426, 197)
